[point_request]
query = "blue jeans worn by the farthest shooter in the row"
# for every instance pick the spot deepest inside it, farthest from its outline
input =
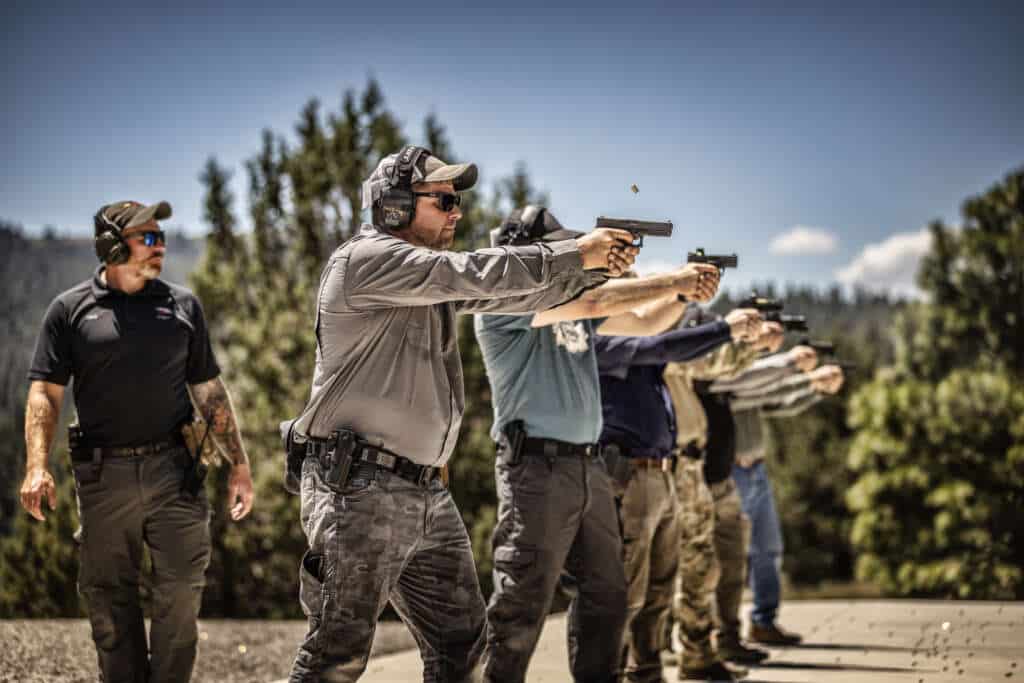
(765, 556)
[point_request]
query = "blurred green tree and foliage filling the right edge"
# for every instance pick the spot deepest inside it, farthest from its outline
(940, 450)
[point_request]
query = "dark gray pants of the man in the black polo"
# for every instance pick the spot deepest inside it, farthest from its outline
(138, 501)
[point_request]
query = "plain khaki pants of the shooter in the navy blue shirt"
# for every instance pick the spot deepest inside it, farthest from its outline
(651, 543)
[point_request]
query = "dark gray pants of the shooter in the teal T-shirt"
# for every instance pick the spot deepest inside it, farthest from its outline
(556, 514)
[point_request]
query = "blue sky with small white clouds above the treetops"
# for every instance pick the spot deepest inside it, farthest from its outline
(815, 140)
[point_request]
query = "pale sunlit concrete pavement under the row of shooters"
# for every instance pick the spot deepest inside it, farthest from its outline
(903, 642)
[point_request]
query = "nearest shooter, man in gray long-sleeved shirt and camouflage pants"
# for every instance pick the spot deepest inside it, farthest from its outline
(386, 410)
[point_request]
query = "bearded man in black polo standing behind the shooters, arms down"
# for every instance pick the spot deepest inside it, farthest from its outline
(137, 348)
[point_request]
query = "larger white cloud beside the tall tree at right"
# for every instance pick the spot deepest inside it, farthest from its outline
(889, 266)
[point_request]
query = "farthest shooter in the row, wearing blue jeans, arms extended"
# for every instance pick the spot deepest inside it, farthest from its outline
(783, 398)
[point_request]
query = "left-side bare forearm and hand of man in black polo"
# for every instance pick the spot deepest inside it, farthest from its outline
(42, 410)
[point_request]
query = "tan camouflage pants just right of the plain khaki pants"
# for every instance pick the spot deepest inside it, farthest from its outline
(699, 573)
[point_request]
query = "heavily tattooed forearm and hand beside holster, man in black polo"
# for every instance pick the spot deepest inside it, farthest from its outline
(215, 404)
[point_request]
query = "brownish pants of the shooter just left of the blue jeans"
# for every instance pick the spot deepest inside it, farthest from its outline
(733, 538)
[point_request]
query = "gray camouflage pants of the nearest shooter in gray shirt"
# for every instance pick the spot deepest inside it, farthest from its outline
(380, 539)
